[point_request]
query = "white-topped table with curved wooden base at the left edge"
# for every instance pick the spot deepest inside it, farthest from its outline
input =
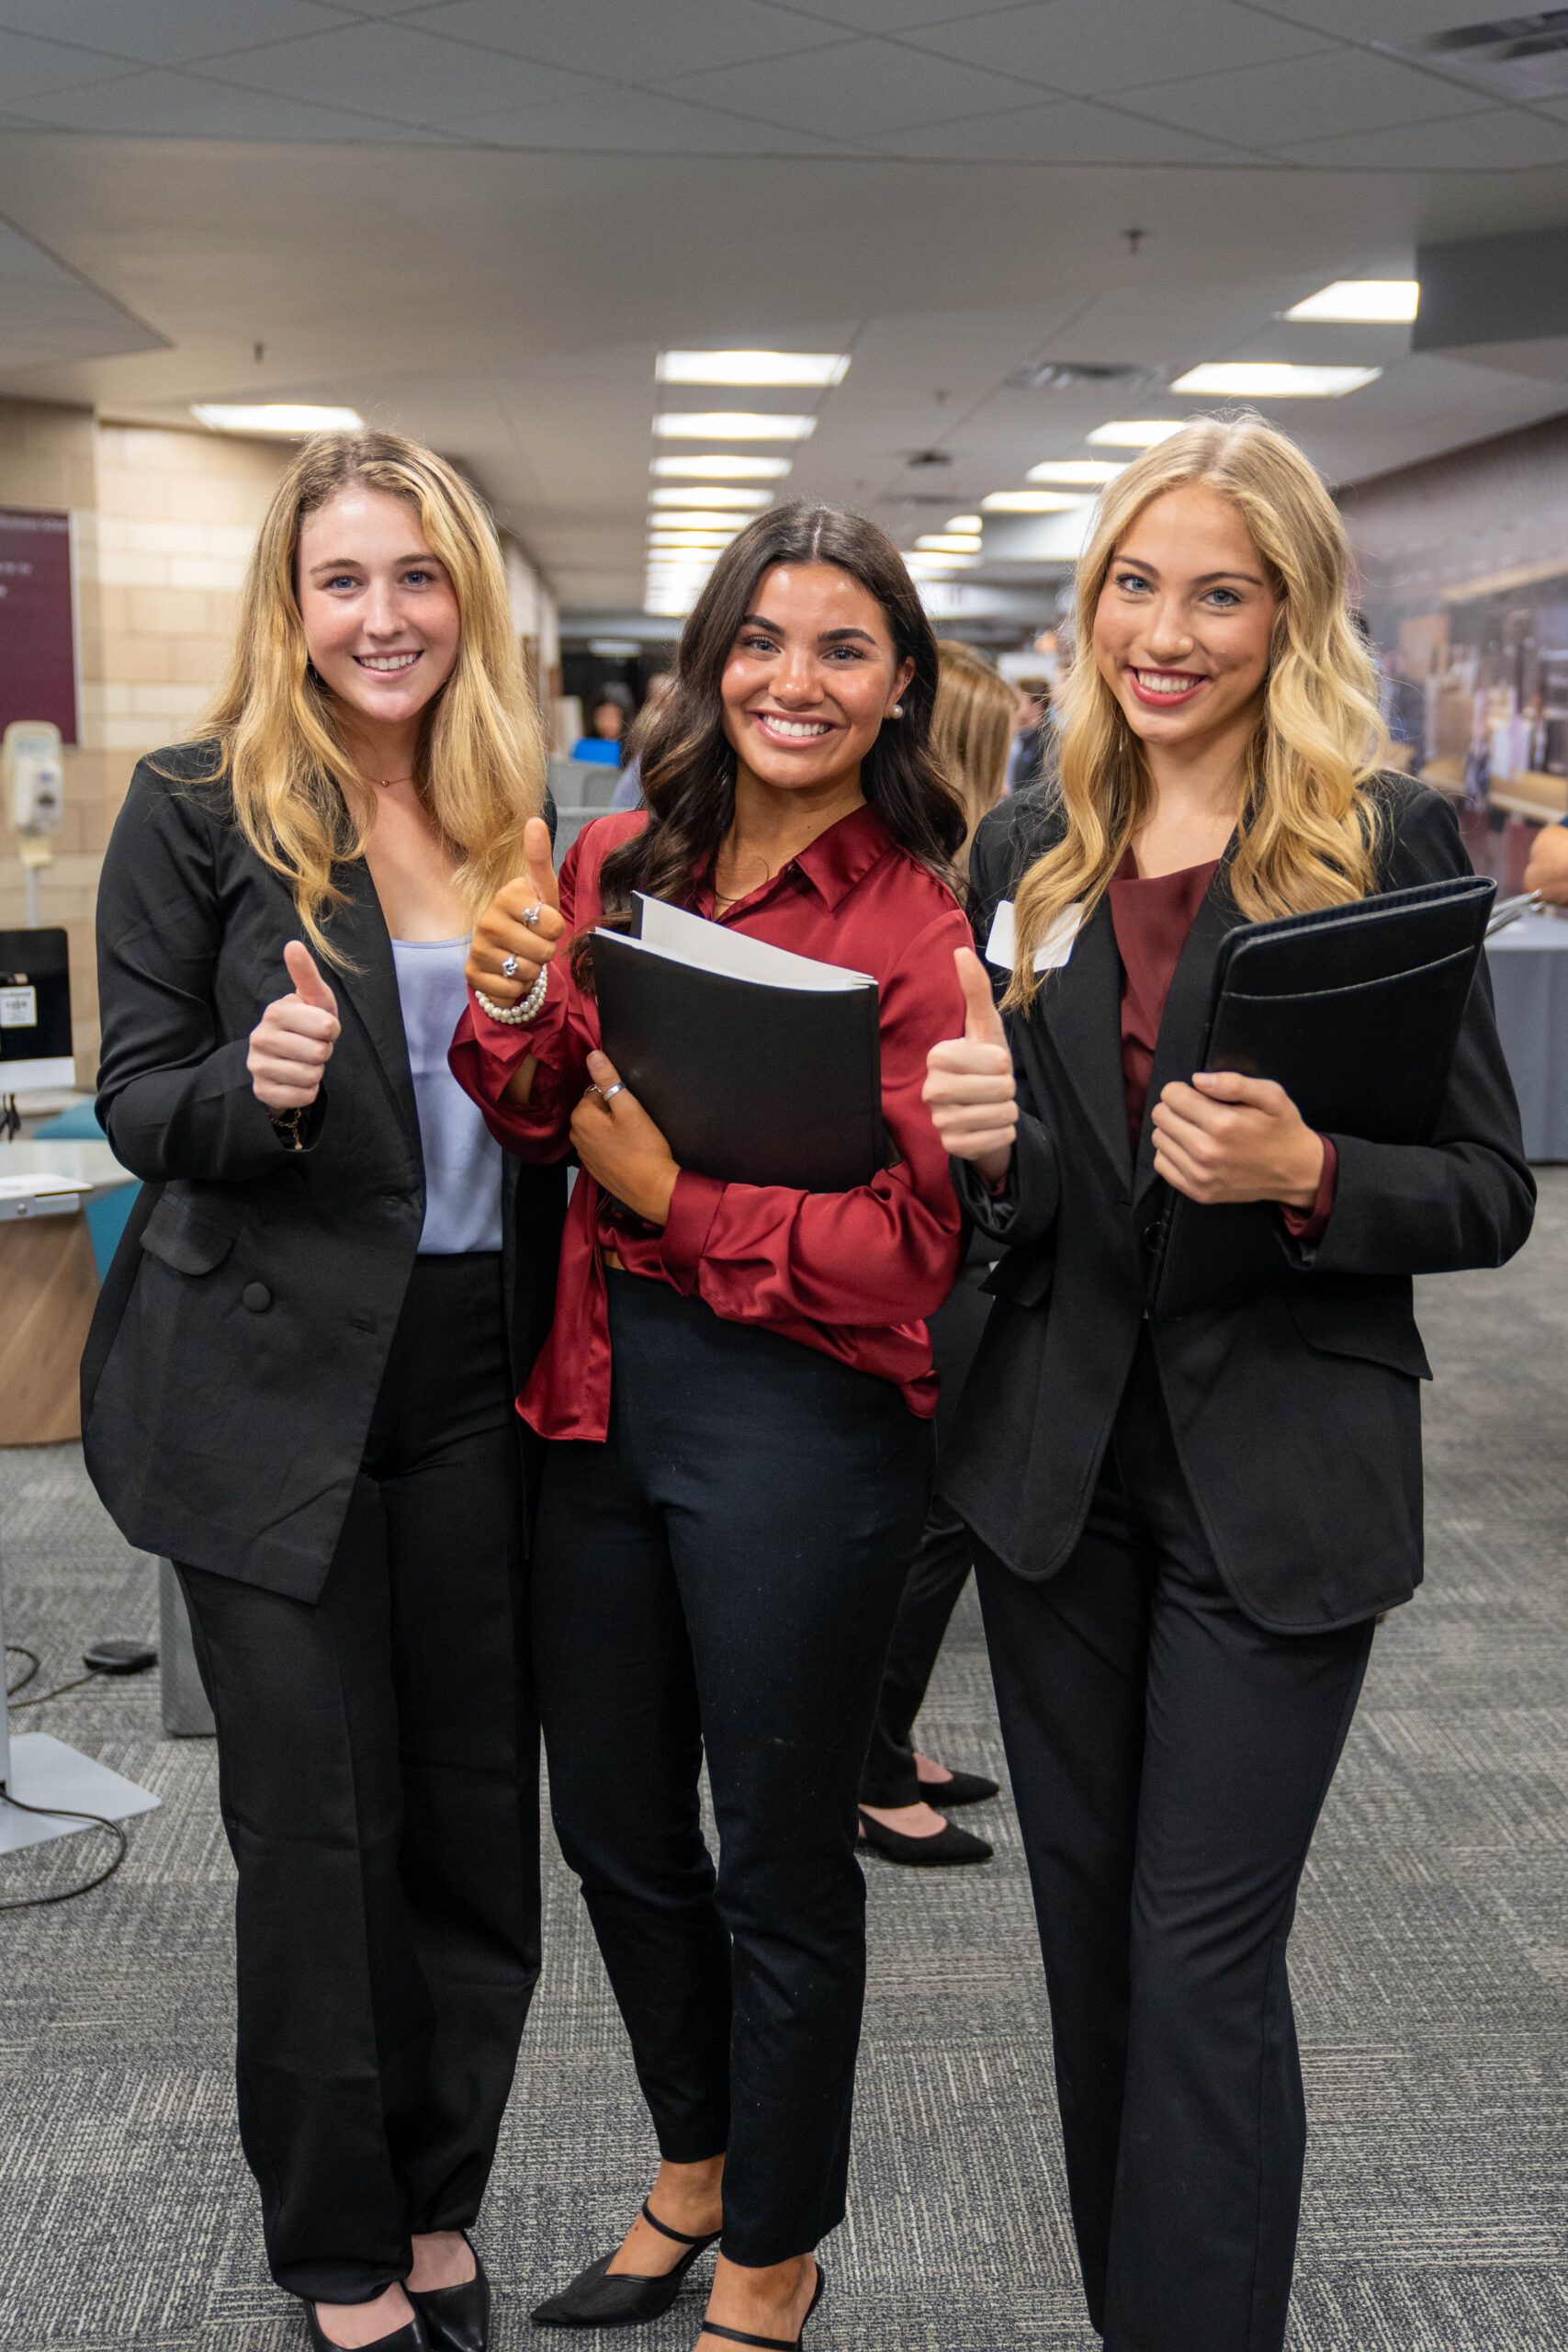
(48, 1285)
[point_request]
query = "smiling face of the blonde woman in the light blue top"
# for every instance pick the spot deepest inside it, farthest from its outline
(382, 617)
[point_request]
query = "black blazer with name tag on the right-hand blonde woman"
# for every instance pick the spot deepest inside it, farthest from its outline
(1296, 1417)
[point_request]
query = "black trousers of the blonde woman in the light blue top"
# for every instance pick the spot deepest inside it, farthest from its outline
(380, 1770)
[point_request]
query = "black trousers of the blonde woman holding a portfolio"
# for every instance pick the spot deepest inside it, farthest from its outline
(1170, 1763)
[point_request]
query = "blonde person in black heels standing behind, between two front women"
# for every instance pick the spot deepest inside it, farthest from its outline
(902, 1789)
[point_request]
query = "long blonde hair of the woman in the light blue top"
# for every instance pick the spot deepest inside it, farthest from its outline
(481, 766)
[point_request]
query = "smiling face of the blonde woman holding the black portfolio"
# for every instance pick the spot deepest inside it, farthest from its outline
(1186, 620)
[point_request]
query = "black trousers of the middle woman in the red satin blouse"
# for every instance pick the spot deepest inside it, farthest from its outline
(721, 1577)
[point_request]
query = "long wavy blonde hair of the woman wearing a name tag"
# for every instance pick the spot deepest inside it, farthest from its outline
(1308, 820)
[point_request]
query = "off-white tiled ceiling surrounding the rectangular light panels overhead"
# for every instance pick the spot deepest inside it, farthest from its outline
(481, 220)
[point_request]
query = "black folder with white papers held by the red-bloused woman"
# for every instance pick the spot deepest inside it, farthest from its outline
(763, 1074)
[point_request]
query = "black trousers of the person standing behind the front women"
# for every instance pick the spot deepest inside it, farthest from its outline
(937, 1575)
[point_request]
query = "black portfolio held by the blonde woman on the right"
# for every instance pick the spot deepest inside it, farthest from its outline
(1355, 1010)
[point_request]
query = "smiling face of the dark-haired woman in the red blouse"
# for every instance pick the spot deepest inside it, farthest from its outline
(812, 679)
